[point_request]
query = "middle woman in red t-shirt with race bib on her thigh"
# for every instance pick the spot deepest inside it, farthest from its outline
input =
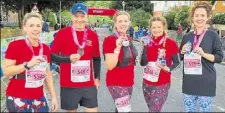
(120, 55)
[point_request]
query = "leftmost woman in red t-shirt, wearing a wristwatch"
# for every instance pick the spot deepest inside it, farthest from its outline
(27, 64)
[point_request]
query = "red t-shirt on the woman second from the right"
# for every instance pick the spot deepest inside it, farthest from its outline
(152, 54)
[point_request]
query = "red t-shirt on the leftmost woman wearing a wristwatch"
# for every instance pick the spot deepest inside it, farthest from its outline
(19, 51)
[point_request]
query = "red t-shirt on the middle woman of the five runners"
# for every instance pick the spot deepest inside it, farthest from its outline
(118, 76)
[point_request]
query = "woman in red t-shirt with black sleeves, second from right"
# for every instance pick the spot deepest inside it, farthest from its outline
(160, 57)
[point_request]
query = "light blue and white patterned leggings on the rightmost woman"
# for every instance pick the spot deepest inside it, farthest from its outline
(190, 103)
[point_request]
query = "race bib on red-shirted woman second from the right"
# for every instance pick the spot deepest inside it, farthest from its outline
(151, 72)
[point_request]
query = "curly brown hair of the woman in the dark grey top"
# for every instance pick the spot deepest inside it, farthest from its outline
(200, 4)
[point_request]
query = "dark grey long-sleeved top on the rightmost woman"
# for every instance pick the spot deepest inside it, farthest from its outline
(205, 84)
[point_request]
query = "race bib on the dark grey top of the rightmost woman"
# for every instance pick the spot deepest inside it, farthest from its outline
(192, 64)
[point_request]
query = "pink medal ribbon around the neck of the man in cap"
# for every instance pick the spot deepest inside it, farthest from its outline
(75, 37)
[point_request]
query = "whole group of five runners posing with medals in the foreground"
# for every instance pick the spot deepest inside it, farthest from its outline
(76, 49)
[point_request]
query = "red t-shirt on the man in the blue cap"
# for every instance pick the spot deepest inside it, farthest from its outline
(64, 44)
